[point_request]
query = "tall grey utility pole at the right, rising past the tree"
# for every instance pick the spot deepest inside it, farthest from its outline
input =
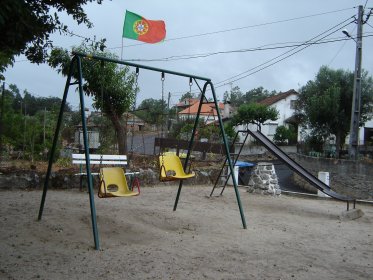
(353, 150)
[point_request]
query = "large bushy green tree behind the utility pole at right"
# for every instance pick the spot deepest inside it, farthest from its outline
(324, 104)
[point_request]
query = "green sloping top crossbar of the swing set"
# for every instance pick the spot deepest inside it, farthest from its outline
(128, 63)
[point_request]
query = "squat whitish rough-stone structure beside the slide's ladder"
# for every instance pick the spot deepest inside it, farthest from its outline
(264, 179)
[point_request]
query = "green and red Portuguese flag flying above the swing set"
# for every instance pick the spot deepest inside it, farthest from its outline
(138, 28)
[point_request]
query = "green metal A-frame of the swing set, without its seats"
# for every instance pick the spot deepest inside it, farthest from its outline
(76, 65)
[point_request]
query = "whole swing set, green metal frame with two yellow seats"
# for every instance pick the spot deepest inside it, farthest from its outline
(171, 167)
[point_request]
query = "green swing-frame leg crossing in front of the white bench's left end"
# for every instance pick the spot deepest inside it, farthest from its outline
(87, 157)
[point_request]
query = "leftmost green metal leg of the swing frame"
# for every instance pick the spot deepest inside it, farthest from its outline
(55, 138)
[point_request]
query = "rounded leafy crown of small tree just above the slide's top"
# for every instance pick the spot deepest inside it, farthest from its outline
(254, 113)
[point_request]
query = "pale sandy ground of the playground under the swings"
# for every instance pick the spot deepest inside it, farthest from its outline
(142, 238)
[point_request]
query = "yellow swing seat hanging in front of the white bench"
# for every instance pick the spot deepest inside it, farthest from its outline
(113, 183)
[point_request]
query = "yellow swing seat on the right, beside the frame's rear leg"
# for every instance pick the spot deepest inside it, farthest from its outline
(172, 169)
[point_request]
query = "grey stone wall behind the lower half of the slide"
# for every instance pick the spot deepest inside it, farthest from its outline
(352, 178)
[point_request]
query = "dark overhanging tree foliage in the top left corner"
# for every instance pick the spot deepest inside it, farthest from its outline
(25, 27)
